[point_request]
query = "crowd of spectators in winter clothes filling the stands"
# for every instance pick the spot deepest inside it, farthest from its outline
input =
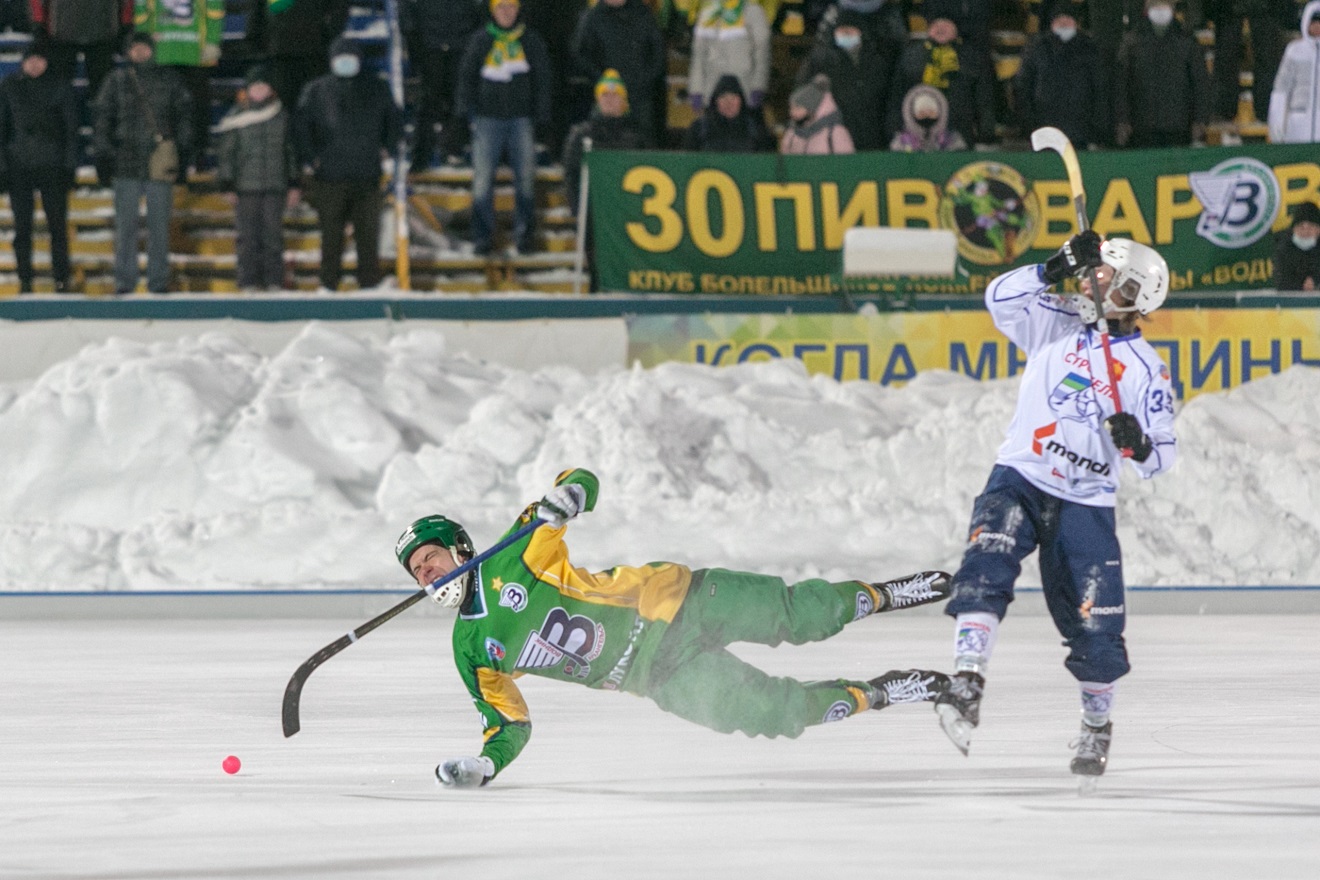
(500, 82)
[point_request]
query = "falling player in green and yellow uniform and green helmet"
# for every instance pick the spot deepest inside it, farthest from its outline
(659, 631)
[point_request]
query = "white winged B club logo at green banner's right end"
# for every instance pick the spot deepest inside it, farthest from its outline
(1240, 199)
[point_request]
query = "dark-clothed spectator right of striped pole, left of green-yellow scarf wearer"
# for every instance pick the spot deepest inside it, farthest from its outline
(436, 32)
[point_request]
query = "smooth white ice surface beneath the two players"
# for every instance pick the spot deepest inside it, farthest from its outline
(114, 734)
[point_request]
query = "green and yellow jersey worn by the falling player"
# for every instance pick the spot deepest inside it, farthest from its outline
(534, 613)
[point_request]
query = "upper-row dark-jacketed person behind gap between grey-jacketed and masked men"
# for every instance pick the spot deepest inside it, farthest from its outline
(296, 35)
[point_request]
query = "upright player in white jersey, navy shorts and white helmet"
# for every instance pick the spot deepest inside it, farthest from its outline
(1054, 482)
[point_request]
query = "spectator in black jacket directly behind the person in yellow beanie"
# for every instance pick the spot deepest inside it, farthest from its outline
(624, 36)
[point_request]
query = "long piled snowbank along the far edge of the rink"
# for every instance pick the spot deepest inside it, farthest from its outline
(203, 465)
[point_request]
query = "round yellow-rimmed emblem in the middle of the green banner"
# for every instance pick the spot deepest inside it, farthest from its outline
(993, 210)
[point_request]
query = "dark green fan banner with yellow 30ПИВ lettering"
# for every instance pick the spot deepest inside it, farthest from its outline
(774, 225)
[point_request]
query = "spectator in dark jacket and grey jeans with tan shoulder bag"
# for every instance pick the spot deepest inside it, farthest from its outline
(142, 111)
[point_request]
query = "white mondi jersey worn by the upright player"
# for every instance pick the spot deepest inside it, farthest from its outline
(1057, 439)
